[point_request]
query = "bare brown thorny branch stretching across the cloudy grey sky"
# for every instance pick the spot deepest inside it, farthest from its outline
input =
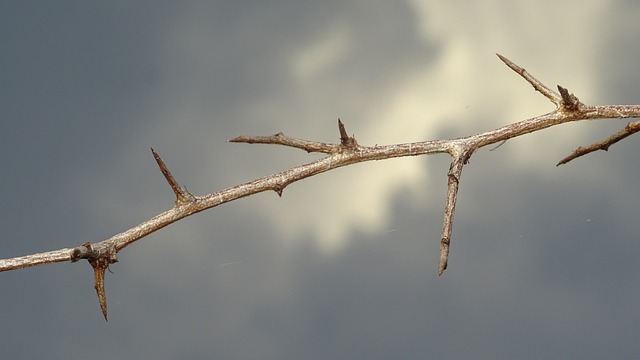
(568, 108)
